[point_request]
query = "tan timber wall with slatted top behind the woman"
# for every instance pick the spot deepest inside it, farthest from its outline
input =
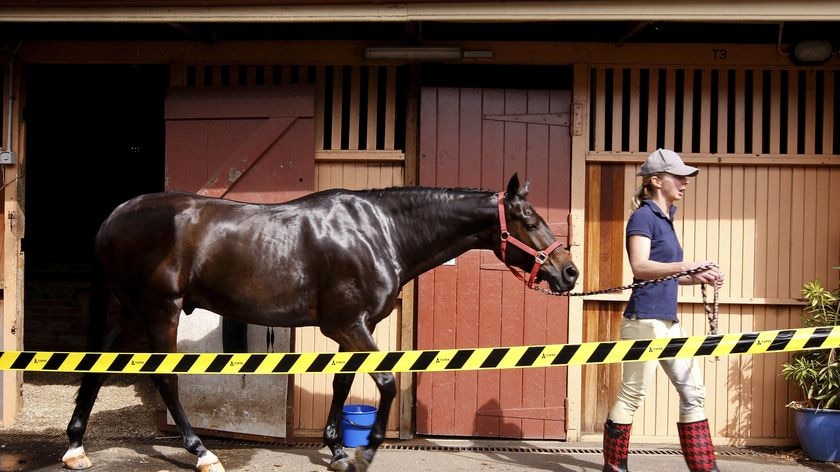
(761, 207)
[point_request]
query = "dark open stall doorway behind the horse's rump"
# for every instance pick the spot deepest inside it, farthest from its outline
(95, 138)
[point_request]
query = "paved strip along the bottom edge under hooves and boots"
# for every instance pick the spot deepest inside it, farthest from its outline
(42, 452)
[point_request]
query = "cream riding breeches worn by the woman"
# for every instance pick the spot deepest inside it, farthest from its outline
(636, 377)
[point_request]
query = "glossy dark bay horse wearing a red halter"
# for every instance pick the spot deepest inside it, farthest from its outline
(335, 259)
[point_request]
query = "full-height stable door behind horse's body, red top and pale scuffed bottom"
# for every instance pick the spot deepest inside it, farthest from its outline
(253, 144)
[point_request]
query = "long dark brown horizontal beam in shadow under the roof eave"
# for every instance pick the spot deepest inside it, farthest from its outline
(352, 52)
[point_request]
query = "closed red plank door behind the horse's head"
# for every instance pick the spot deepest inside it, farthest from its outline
(478, 138)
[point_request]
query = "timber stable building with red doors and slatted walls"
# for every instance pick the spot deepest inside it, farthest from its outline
(103, 101)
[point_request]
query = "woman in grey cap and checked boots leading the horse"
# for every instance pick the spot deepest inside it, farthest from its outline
(654, 252)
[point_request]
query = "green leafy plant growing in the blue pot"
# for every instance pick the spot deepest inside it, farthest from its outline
(817, 372)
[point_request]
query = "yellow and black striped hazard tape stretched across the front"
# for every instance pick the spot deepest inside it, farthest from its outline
(444, 360)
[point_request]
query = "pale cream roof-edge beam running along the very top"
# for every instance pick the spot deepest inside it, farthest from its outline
(579, 10)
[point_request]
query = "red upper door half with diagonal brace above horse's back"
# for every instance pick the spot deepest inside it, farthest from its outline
(253, 144)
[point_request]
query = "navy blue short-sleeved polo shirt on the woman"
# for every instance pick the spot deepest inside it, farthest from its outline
(657, 300)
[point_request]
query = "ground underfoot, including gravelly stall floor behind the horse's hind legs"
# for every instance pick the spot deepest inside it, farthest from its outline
(123, 436)
